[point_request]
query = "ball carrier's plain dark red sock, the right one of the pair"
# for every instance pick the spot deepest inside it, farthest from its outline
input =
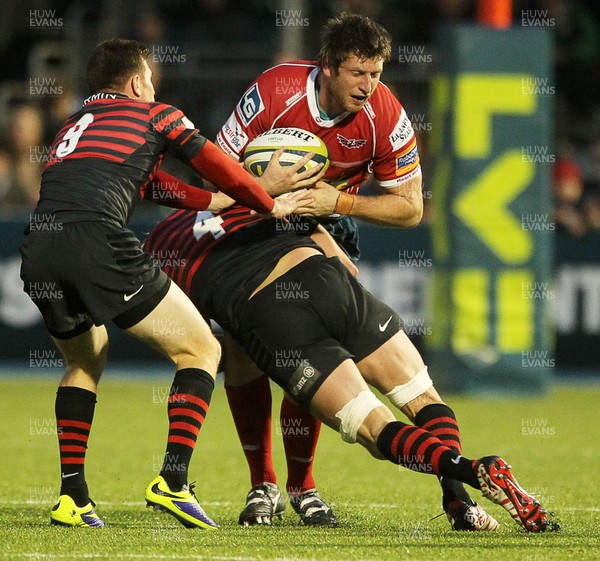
(300, 432)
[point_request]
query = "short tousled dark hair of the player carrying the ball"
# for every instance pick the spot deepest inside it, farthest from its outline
(353, 34)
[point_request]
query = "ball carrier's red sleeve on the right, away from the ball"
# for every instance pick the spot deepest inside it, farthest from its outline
(396, 158)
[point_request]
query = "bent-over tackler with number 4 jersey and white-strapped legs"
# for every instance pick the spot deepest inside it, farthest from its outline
(343, 339)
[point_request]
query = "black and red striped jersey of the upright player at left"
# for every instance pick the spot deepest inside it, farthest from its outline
(106, 153)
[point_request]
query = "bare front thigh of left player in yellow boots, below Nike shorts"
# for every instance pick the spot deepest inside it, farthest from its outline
(176, 328)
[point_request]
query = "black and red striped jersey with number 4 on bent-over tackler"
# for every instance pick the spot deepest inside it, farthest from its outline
(217, 258)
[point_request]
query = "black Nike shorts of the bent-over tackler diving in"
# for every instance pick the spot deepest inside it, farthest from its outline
(301, 327)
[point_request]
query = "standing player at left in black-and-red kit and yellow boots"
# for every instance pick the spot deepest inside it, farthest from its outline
(102, 162)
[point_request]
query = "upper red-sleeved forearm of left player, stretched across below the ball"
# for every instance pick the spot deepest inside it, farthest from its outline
(231, 178)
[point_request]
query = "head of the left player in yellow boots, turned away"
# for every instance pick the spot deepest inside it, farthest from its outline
(121, 65)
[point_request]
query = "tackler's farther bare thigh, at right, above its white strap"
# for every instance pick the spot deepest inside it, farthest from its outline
(392, 364)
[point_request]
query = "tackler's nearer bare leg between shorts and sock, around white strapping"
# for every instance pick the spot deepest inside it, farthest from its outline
(342, 386)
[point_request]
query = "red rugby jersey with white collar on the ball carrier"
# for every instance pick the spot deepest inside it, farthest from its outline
(378, 139)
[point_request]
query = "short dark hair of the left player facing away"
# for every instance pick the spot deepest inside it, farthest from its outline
(113, 62)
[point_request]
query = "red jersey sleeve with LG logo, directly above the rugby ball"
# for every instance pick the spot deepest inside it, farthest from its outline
(248, 119)
